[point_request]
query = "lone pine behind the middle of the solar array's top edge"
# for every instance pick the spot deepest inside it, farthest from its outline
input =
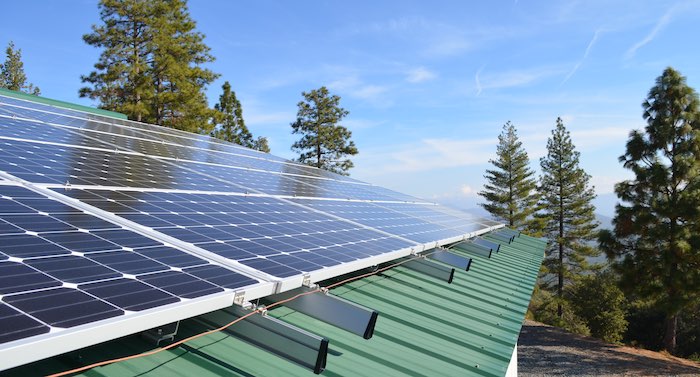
(324, 143)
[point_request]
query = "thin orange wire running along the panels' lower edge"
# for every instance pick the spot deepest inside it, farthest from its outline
(222, 328)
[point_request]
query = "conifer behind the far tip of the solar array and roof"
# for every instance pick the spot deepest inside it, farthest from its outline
(511, 189)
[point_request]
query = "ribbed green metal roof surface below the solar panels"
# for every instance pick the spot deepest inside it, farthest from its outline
(426, 327)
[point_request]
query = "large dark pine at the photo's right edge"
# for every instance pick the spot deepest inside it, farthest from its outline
(655, 243)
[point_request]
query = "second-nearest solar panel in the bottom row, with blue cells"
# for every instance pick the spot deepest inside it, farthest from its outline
(272, 235)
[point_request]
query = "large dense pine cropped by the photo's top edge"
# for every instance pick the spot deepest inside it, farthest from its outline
(150, 67)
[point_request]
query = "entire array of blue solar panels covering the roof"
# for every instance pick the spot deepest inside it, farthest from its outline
(116, 227)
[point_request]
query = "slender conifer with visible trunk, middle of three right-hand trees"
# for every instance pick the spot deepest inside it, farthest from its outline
(566, 212)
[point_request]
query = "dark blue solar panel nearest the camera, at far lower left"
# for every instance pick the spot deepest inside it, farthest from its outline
(61, 268)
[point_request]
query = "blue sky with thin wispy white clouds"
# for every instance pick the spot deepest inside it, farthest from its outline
(428, 85)
